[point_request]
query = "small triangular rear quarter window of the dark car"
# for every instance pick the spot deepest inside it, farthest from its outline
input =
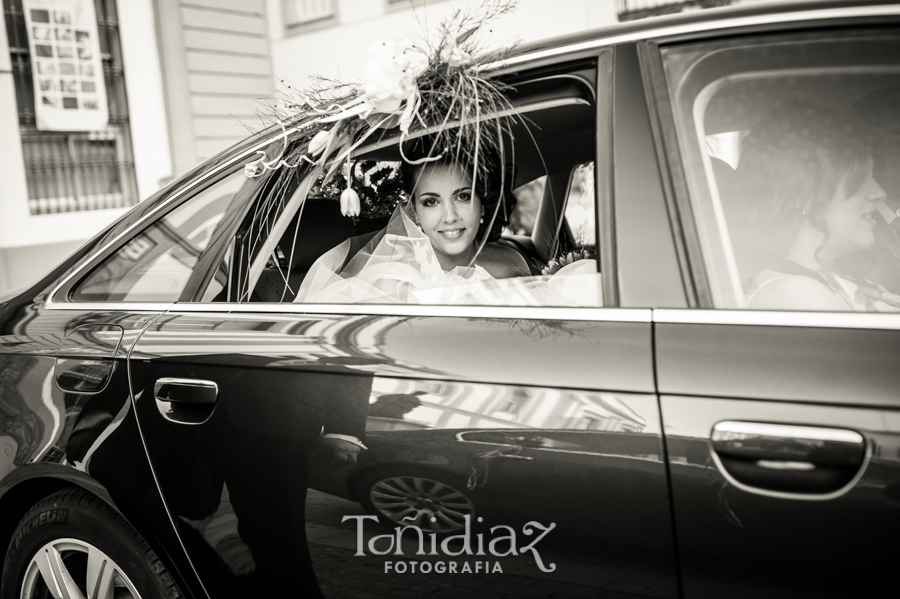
(156, 264)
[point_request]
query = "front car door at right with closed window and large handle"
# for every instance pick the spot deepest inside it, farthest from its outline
(780, 414)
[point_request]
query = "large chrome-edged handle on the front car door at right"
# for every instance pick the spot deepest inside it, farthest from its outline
(783, 458)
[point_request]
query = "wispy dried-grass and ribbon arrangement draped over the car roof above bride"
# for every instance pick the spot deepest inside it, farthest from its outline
(457, 112)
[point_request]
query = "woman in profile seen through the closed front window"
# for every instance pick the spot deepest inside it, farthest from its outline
(805, 174)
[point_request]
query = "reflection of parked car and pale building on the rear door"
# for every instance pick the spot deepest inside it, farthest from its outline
(502, 453)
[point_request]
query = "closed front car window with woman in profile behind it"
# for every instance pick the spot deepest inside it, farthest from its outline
(791, 146)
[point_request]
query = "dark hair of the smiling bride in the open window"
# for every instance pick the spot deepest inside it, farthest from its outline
(493, 187)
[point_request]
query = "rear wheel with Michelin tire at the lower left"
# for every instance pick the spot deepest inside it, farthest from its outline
(70, 532)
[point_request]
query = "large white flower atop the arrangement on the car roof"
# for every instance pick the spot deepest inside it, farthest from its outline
(390, 75)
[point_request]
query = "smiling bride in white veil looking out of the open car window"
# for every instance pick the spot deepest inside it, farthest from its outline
(439, 249)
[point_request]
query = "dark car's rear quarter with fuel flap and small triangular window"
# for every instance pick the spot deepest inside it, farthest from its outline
(66, 392)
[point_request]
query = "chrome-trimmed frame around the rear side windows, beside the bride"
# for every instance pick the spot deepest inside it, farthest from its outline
(603, 68)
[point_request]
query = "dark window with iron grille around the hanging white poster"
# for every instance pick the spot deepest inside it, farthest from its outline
(75, 171)
